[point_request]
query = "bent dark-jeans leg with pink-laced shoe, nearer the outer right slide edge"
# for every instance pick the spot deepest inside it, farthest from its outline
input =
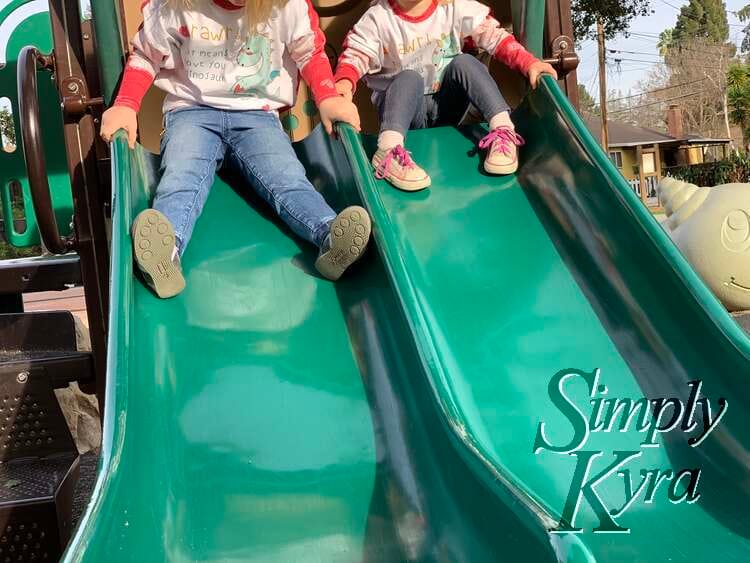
(468, 80)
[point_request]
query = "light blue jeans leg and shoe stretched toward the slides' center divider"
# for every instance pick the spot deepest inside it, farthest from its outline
(262, 151)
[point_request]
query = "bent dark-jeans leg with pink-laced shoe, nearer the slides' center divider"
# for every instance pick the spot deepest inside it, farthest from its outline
(402, 107)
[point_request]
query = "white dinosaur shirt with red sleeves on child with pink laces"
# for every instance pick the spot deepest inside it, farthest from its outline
(386, 41)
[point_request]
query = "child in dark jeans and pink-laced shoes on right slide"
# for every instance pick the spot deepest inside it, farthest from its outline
(409, 53)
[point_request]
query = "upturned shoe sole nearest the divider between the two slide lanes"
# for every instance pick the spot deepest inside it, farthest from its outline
(350, 233)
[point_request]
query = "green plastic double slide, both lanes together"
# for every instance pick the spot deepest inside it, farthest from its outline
(269, 415)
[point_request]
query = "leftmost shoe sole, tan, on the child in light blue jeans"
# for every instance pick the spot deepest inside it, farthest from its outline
(153, 243)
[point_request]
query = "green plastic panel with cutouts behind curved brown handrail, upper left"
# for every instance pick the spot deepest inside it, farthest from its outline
(23, 23)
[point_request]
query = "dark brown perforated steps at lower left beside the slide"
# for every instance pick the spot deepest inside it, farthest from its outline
(38, 459)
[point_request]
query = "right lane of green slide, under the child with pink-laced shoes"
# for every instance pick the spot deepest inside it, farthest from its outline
(509, 281)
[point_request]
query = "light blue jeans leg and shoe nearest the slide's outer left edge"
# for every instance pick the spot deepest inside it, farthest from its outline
(192, 149)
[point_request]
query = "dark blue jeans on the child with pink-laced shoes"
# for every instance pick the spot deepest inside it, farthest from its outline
(466, 81)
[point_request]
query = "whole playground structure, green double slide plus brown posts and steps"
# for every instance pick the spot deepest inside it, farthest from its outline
(266, 414)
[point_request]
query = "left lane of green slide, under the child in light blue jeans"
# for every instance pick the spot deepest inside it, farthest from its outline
(267, 414)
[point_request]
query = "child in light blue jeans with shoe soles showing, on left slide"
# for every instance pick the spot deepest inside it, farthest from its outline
(227, 69)
